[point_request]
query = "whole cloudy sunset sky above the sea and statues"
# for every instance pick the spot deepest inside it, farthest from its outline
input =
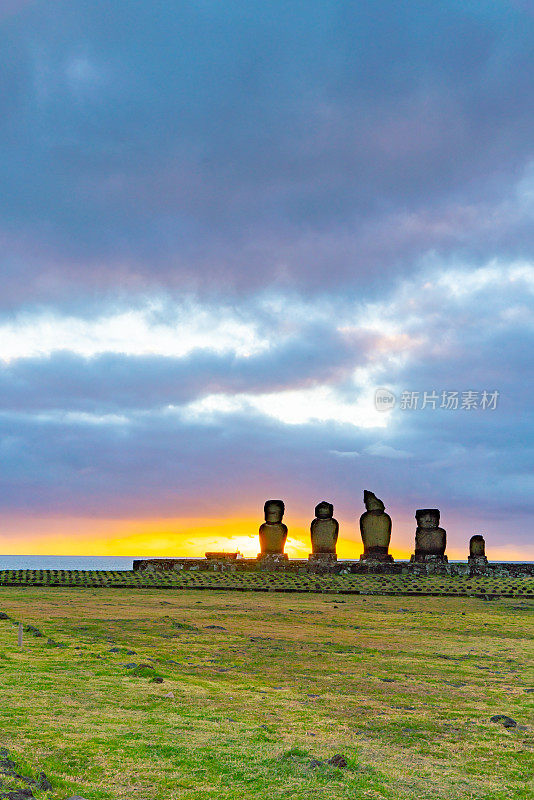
(223, 227)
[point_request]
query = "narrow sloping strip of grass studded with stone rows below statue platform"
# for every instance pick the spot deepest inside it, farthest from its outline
(279, 581)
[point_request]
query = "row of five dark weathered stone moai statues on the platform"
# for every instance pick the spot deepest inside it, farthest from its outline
(375, 529)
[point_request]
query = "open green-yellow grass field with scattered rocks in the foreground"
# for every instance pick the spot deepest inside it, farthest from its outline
(261, 684)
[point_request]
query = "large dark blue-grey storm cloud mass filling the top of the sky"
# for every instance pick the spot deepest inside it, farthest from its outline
(236, 144)
